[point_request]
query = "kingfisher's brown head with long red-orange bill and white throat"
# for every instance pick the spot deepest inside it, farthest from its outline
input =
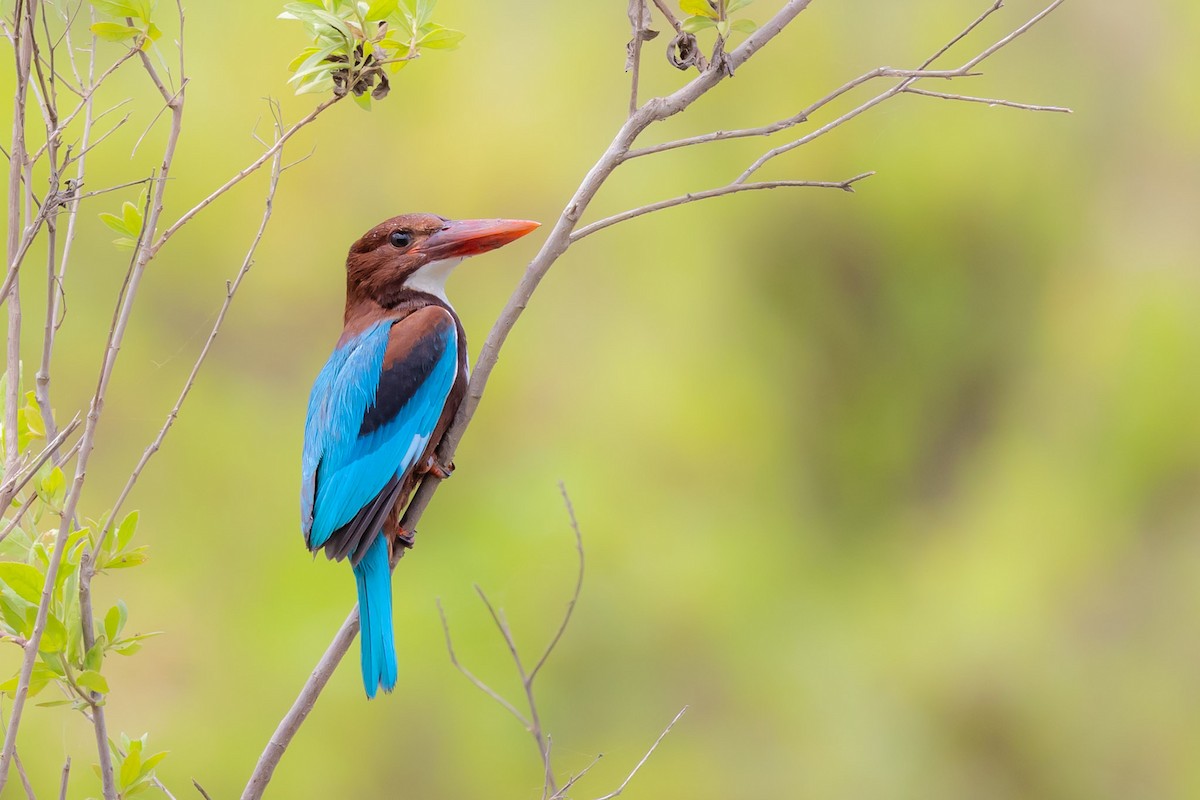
(417, 252)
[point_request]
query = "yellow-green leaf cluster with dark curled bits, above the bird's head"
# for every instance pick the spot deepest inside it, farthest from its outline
(357, 44)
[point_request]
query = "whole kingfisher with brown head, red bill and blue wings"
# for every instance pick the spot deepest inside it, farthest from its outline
(382, 404)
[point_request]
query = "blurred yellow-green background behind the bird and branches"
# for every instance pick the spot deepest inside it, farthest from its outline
(898, 491)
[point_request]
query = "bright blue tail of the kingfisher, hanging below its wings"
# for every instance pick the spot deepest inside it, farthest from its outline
(375, 619)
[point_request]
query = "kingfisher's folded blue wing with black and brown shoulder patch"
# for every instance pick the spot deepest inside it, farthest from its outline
(371, 414)
